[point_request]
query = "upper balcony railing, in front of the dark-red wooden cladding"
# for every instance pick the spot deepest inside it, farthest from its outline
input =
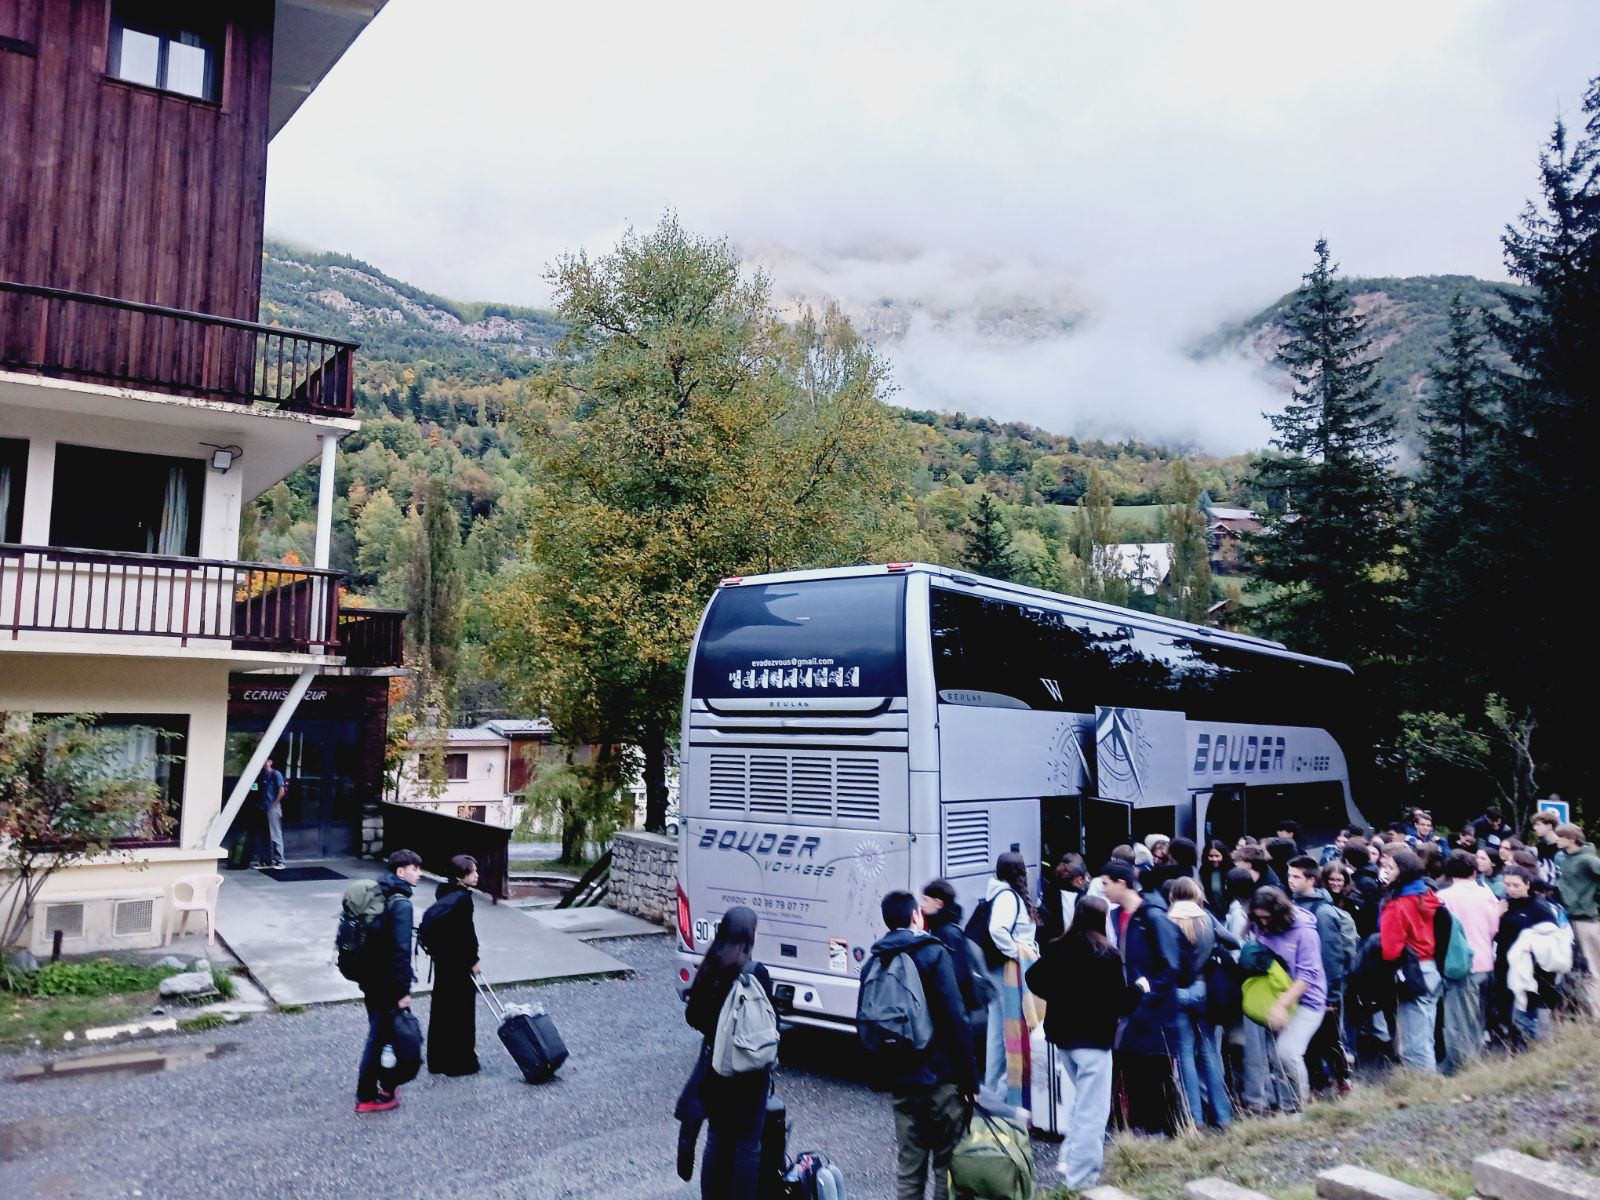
(74, 335)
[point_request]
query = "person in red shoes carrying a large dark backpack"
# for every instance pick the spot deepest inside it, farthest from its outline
(385, 977)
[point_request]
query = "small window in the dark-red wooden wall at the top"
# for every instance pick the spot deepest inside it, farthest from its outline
(175, 47)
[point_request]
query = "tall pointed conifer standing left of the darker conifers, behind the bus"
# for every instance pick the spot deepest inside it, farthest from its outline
(1324, 561)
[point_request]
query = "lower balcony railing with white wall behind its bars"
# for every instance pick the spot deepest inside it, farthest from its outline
(266, 607)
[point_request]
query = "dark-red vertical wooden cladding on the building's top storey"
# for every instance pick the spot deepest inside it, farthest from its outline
(127, 191)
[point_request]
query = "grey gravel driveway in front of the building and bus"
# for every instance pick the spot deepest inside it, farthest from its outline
(273, 1116)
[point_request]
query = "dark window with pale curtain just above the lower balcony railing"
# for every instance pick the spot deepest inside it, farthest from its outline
(110, 500)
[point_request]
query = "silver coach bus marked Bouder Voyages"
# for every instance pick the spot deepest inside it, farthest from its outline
(849, 732)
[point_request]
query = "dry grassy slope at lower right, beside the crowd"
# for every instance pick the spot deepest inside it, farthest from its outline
(1553, 1089)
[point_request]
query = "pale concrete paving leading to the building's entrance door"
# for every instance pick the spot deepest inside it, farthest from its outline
(284, 934)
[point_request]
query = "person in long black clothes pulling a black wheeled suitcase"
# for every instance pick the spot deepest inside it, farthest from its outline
(452, 942)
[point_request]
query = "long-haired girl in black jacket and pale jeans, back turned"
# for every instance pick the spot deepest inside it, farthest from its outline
(1087, 994)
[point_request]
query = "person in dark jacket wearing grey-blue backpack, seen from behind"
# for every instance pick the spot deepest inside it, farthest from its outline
(914, 1028)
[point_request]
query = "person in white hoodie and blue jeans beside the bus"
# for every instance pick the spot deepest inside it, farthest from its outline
(1012, 932)
